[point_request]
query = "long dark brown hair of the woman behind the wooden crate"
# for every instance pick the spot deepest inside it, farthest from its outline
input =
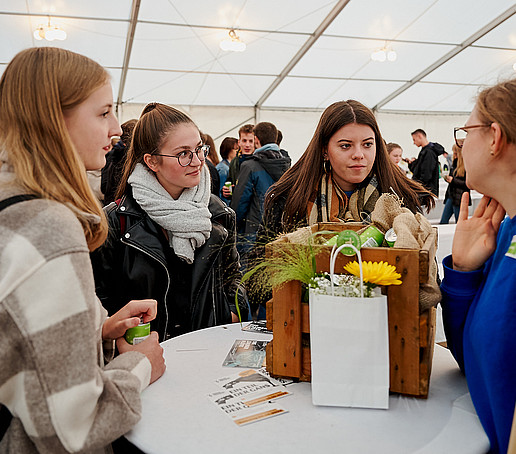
(299, 182)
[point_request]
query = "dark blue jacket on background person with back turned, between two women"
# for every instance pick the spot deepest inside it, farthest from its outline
(257, 174)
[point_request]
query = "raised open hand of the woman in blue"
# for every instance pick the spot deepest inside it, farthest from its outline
(475, 238)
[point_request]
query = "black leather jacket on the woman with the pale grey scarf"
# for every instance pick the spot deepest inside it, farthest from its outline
(132, 265)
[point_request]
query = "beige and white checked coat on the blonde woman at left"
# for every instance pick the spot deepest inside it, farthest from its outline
(53, 377)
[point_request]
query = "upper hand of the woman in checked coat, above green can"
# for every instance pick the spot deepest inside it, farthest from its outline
(129, 317)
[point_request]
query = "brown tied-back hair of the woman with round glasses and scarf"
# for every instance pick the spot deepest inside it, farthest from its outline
(155, 122)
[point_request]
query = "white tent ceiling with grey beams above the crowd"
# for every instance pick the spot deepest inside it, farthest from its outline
(301, 54)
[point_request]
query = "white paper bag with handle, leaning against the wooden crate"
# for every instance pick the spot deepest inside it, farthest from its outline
(349, 349)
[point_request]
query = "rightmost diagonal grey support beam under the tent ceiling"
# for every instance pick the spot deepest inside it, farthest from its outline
(467, 43)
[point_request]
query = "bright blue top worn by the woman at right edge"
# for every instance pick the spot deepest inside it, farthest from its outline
(479, 311)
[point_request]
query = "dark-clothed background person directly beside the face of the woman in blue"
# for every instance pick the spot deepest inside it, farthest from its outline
(456, 187)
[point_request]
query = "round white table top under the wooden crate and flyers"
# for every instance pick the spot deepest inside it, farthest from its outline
(179, 417)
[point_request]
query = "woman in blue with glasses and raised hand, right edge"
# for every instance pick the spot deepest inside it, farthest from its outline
(479, 288)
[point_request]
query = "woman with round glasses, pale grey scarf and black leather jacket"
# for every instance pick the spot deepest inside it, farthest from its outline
(170, 239)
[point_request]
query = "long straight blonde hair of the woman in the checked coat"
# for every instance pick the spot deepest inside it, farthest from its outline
(36, 87)
